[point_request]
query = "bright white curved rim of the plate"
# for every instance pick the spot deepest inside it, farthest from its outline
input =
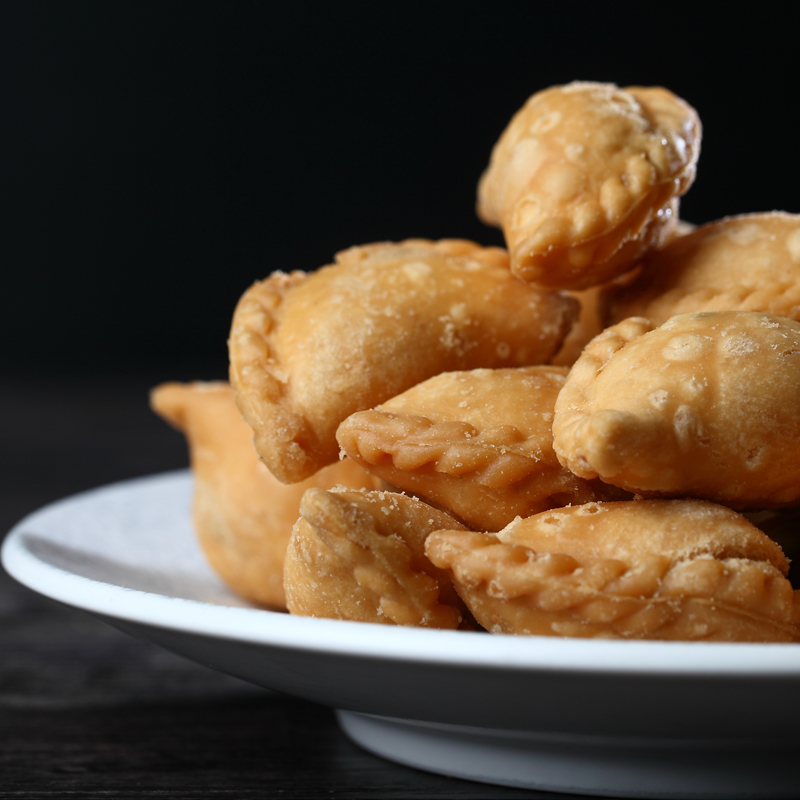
(451, 649)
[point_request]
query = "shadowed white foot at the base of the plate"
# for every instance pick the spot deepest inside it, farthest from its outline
(572, 765)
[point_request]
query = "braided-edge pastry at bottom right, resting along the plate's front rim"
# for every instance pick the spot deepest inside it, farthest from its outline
(647, 569)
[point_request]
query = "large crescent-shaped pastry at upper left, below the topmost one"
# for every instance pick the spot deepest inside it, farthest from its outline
(306, 351)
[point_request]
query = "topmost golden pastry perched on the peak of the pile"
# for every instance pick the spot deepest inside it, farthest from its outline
(585, 179)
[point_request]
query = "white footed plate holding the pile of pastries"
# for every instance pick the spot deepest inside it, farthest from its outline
(639, 719)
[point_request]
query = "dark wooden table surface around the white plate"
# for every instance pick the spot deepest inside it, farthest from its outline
(86, 711)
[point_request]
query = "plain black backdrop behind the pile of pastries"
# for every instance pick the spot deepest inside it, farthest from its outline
(159, 157)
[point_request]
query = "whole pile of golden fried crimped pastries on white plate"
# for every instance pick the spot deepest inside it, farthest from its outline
(567, 437)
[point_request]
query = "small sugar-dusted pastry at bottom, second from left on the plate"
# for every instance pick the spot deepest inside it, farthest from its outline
(360, 556)
